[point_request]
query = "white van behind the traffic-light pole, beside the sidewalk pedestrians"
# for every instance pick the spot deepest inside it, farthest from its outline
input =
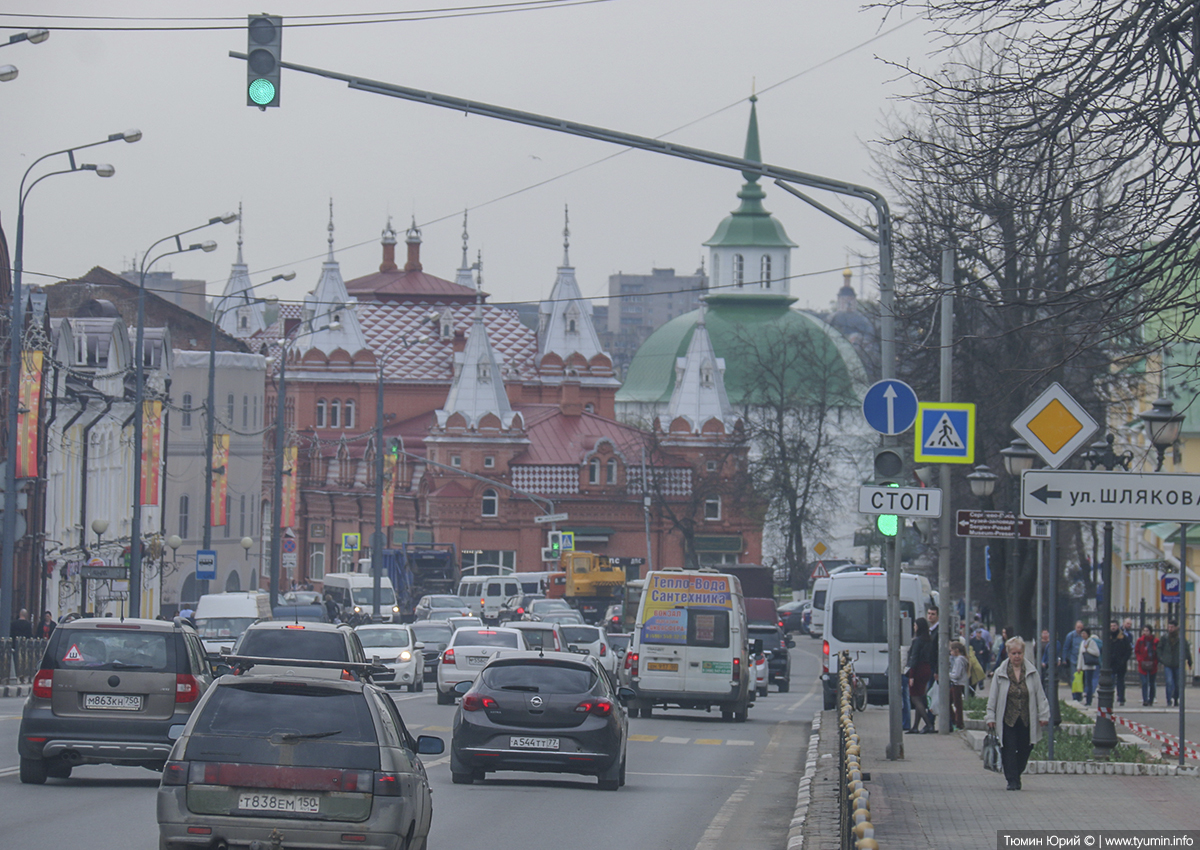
(856, 621)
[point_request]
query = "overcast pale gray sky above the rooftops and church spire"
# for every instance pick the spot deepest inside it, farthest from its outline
(640, 67)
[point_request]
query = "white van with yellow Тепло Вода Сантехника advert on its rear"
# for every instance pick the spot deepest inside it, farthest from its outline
(691, 647)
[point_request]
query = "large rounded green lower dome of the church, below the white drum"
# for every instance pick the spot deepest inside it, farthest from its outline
(735, 324)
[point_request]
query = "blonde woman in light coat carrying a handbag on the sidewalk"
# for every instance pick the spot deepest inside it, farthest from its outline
(1017, 711)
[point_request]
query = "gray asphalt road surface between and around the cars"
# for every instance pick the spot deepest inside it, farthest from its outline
(694, 783)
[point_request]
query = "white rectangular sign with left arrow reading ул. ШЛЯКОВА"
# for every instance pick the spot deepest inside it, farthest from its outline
(1127, 496)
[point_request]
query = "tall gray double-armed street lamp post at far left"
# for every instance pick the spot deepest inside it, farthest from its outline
(16, 331)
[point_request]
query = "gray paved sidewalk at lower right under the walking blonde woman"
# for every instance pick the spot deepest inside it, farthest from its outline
(941, 797)
